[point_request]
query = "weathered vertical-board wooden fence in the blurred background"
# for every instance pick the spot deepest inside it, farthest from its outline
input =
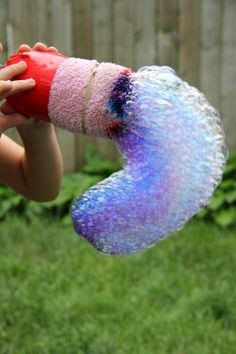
(196, 37)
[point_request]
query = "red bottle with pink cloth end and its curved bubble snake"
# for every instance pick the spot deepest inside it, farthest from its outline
(170, 138)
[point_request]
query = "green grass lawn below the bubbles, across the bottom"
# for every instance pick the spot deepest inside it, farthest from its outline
(60, 296)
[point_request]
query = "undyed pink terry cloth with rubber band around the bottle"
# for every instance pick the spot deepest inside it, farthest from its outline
(79, 94)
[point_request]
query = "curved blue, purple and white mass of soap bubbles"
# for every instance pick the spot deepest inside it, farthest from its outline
(174, 155)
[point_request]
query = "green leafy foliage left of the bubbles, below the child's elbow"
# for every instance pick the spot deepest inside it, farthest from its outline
(96, 168)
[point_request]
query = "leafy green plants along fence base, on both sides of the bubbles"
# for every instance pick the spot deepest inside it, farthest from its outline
(221, 209)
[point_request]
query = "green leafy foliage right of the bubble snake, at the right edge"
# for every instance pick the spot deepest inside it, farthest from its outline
(222, 207)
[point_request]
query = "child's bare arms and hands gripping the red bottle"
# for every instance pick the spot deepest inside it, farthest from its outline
(34, 171)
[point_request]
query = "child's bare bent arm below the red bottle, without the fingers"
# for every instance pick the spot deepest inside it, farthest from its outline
(34, 171)
